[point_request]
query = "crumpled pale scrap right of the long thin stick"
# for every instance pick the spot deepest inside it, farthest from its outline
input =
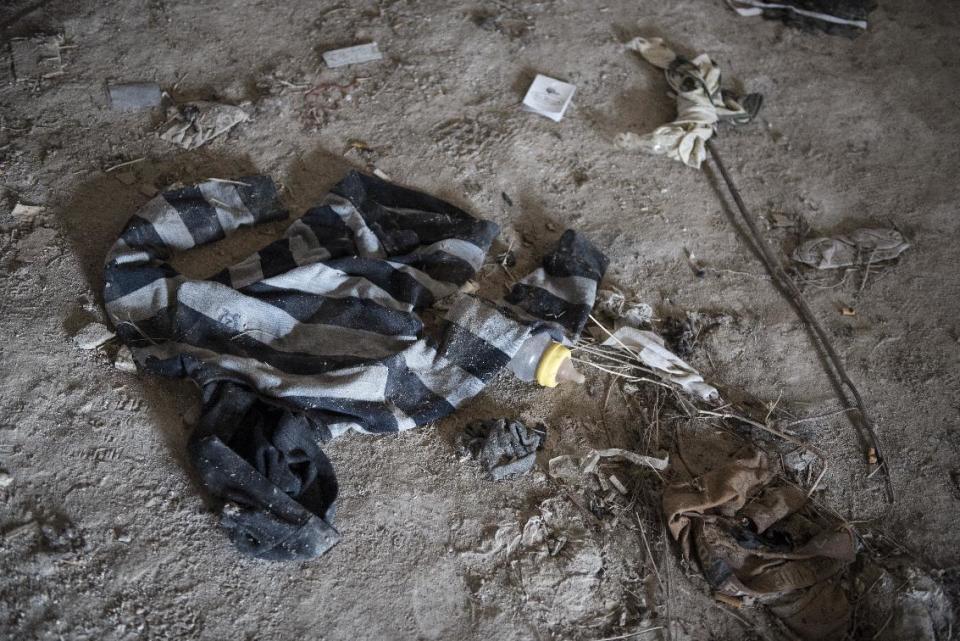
(861, 247)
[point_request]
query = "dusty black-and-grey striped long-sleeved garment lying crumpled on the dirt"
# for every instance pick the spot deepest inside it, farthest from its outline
(319, 333)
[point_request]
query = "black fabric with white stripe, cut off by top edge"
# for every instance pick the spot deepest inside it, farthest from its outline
(841, 17)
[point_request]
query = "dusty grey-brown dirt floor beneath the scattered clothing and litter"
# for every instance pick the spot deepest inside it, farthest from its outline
(105, 534)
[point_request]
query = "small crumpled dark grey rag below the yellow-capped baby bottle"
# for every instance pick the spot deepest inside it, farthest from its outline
(506, 448)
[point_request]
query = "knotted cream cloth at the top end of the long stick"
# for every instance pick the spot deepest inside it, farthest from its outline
(701, 105)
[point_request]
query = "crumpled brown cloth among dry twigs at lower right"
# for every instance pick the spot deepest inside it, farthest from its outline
(751, 538)
